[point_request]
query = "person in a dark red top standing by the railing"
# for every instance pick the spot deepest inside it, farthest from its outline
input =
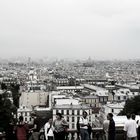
(21, 129)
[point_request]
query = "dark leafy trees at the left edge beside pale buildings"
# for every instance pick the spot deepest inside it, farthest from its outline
(7, 107)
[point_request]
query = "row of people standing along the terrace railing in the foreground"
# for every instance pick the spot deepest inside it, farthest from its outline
(57, 129)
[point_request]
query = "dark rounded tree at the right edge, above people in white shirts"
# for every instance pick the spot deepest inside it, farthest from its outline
(131, 106)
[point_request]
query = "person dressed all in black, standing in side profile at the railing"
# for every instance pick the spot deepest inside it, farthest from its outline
(111, 128)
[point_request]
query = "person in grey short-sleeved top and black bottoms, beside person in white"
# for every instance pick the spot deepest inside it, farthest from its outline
(59, 125)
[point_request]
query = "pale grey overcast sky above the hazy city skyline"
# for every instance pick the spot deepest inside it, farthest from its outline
(101, 29)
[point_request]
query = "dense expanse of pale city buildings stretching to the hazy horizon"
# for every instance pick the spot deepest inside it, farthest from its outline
(98, 87)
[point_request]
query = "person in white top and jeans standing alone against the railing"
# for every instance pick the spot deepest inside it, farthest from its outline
(84, 126)
